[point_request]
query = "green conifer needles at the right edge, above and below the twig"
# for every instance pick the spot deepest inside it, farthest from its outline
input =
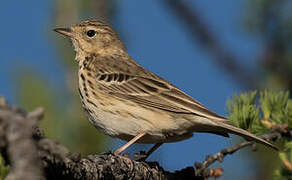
(258, 112)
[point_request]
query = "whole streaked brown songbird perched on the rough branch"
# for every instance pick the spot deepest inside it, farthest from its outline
(126, 101)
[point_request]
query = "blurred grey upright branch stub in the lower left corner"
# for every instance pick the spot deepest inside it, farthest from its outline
(16, 143)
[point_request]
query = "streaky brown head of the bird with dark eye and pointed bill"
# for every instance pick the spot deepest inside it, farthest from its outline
(92, 36)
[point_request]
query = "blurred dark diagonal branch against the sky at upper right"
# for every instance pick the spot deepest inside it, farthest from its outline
(199, 30)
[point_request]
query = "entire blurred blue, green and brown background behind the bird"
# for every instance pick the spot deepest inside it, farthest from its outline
(209, 49)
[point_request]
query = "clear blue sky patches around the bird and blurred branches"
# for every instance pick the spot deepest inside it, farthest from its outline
(157, 39)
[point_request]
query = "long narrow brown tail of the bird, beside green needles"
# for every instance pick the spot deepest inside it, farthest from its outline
(245, 134)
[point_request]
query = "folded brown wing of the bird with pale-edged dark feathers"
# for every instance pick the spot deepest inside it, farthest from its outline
(155, 93)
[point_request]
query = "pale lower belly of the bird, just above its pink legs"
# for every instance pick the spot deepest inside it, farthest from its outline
(117, 122)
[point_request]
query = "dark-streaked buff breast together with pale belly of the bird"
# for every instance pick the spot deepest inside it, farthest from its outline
(125, 119)
